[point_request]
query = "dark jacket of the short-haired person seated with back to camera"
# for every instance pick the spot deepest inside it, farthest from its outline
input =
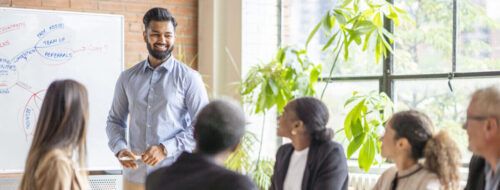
(195, 171)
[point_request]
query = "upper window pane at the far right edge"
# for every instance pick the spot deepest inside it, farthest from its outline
(479, 35)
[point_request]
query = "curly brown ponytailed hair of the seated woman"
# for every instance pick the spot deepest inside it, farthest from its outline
(441, 153)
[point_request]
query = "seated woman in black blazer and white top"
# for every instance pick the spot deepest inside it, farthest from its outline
(312, 160)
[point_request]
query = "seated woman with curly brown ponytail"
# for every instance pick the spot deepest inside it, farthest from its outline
(409, 137)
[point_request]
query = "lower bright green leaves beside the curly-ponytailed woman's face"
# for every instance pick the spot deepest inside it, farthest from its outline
(363, 123)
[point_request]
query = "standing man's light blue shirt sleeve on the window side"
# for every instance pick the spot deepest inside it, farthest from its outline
(195, 99)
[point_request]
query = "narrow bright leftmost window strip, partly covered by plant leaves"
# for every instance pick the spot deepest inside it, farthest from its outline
(260, 42)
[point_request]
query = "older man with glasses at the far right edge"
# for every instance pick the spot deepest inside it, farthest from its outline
(483, 129)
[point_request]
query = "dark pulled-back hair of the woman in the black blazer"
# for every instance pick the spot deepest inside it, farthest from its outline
(314, 114)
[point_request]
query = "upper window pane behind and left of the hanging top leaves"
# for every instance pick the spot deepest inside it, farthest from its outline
(299, 18)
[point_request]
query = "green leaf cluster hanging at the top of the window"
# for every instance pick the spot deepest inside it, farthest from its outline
(360, 22)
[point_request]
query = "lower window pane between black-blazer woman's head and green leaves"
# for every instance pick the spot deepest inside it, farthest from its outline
(335, 96)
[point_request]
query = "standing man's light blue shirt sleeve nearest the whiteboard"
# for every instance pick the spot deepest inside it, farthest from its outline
(116, 124)
